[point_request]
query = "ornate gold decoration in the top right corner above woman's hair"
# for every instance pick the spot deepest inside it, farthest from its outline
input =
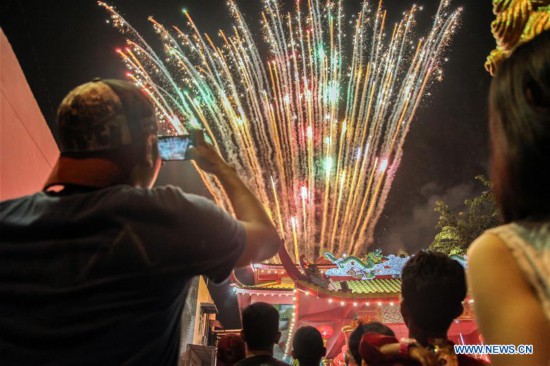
(517, 22)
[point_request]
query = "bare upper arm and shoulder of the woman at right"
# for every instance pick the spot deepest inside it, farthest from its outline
(507, 309)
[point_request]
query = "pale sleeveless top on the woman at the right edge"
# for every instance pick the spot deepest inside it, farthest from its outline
(529, 243)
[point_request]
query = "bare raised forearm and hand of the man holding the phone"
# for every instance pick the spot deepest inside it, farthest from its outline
(262, 240)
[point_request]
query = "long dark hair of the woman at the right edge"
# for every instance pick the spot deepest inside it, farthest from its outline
(519, 121)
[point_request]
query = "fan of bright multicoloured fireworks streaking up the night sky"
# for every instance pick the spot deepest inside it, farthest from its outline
(316, 126)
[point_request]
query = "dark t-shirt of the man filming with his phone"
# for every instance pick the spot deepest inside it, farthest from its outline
(100, 278)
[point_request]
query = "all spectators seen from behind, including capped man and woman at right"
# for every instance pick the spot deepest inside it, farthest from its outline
(94, 269)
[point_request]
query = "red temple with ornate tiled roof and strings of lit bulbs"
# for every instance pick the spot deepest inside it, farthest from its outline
(334, 303)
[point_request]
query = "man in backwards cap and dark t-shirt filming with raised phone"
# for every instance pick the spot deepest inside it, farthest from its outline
(94, 270)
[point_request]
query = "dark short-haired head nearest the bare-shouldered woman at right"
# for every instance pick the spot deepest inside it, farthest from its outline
(433, 288)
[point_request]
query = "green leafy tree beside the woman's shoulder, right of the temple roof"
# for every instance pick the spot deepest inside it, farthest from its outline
(459, 229)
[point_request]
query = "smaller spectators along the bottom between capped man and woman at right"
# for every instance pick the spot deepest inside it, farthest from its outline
(433, 289)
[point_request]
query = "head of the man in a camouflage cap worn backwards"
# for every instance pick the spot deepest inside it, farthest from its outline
(107, 128)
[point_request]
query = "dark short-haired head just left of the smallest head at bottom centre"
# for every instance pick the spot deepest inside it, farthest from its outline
(261, 327)
